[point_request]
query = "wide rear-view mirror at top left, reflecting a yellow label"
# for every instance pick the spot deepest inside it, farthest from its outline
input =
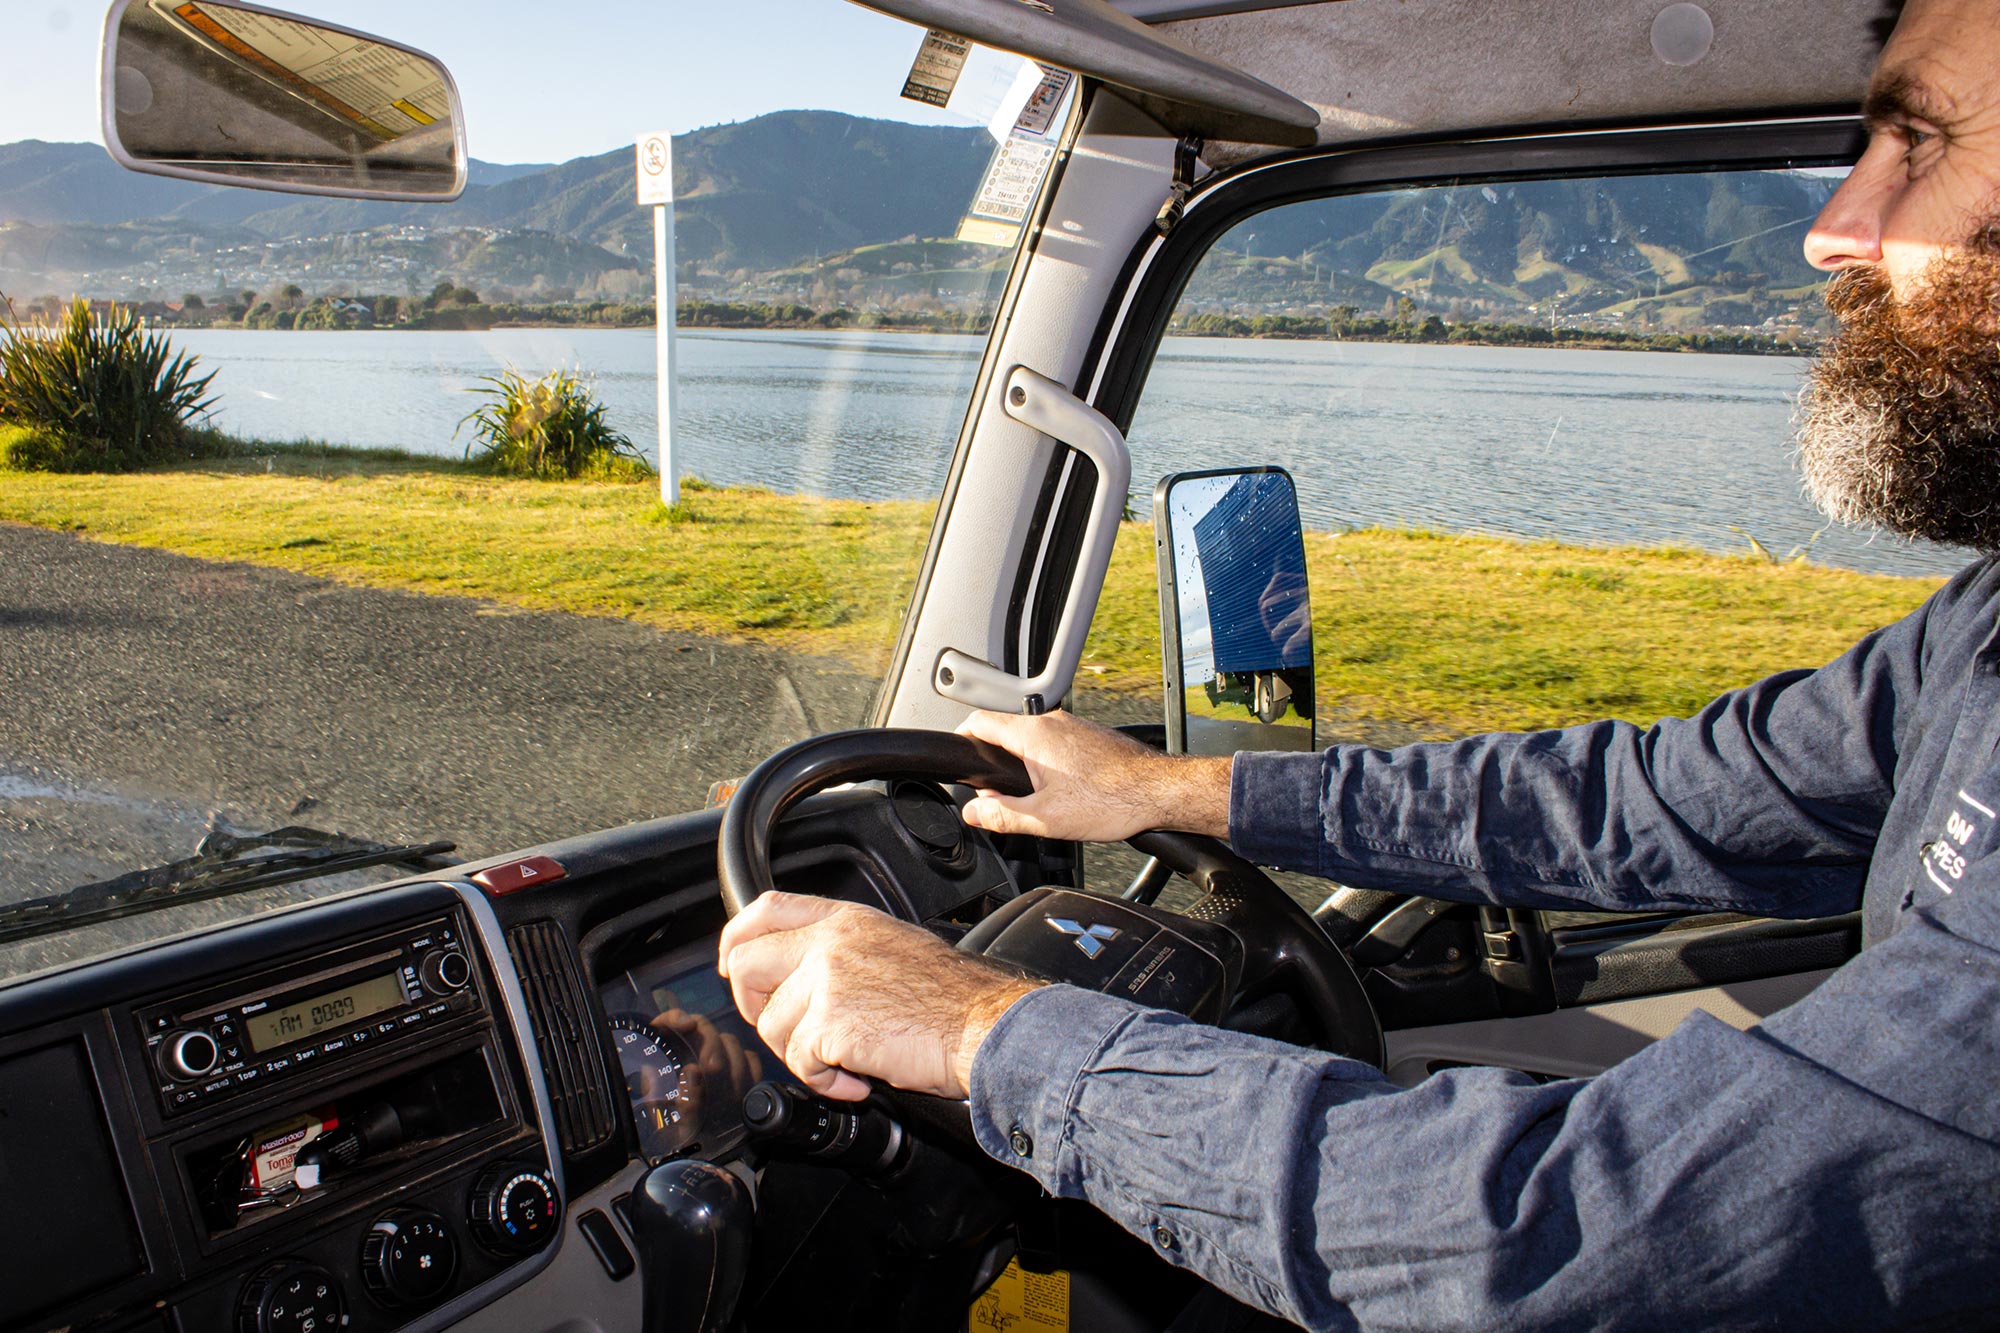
(231, 93)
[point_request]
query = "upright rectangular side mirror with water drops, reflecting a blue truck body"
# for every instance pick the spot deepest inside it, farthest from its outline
(1235, 615)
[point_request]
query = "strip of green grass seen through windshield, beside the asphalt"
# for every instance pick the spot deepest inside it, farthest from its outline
(813, 575)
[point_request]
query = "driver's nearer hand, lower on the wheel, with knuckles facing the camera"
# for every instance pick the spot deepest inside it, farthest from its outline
(847, 994)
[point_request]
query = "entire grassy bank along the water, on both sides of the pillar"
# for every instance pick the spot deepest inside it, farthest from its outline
(1435, 633)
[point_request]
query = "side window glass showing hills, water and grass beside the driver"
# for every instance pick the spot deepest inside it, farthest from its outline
(1541, 437)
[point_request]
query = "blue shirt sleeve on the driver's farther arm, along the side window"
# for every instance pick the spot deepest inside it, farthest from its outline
(1769, 800)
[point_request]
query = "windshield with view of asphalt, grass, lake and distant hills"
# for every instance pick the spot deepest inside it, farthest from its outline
(365, 593)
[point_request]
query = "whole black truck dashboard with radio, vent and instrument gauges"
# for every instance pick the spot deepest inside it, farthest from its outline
(417, 1106)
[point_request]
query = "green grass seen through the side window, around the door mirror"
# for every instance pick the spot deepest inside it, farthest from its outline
(1455, 635)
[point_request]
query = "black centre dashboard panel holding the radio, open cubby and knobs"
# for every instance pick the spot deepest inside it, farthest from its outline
(309, 1122)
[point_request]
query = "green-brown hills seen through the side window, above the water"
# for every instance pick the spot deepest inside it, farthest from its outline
(1677, 251)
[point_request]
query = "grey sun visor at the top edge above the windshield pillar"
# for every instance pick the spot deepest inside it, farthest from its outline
(1185, 91)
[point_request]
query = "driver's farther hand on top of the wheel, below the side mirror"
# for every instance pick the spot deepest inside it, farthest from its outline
(1095, 786)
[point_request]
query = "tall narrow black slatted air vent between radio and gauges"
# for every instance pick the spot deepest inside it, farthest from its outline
(573, 1054)
